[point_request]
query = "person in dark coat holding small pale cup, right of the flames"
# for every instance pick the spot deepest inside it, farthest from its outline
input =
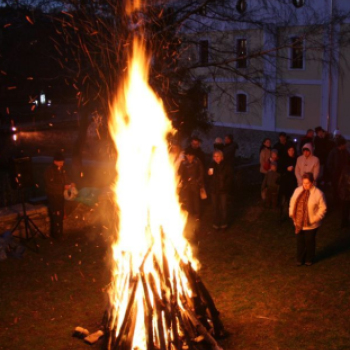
(220, 174)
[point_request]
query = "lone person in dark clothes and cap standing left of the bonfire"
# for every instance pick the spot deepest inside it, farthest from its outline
(56, 181)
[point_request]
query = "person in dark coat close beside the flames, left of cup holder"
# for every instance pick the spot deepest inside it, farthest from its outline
(191, 174)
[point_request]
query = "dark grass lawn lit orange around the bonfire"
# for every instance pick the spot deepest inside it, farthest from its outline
(266, 302)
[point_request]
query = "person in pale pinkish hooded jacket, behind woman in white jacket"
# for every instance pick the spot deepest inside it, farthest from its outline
(307, 163)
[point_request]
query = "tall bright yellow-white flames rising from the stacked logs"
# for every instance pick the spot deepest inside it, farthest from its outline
(150, 220)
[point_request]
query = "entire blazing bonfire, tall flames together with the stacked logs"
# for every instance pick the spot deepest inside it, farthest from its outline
(157, 300)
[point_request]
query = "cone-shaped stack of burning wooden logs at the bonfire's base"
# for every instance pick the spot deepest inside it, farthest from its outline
(173, 319)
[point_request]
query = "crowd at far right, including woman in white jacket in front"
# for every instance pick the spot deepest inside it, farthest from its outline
(298, 177)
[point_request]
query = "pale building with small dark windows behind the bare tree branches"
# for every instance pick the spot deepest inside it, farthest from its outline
(284, 46)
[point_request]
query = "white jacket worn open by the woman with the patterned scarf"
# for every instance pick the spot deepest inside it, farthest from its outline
(316, 206)
